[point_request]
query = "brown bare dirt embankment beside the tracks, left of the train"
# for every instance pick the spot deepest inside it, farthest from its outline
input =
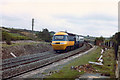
(20, 50)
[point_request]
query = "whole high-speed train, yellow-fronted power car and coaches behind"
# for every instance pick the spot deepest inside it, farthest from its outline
(63, 41)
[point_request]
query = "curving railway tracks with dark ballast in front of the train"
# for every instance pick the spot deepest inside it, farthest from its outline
(16, 66)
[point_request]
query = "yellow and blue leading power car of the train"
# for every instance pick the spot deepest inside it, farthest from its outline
(61, 41)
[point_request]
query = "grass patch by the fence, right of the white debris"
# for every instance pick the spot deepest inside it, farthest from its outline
(109, 62)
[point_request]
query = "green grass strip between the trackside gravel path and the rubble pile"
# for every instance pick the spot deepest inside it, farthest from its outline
(66, 72)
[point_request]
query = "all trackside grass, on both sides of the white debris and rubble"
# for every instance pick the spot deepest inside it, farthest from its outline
(107, 68)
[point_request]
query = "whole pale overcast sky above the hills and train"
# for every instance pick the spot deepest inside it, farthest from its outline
(84, 17)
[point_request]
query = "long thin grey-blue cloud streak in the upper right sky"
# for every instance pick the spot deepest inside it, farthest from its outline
(94, 16)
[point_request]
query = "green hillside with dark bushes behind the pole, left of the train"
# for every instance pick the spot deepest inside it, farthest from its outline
(11, 34)
